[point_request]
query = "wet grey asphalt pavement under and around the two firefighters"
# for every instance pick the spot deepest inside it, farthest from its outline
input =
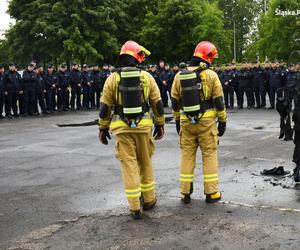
(61, 189)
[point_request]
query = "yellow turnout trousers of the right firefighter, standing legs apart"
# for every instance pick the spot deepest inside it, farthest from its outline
(203, 134)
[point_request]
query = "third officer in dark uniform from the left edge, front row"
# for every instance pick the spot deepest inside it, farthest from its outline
(28, 87)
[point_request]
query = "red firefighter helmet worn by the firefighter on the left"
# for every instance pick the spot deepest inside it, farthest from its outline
(135, 50)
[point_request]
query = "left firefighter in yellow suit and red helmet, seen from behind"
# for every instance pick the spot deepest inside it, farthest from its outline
(129, 93)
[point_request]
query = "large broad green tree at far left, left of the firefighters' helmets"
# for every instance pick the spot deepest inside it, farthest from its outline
(62, 30)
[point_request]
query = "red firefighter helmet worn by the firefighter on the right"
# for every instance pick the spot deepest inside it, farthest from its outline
(206, 51)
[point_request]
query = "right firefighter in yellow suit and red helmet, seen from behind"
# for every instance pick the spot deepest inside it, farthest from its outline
(197, 102)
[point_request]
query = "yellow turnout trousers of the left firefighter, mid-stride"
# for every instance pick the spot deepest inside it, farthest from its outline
(134, 151)
